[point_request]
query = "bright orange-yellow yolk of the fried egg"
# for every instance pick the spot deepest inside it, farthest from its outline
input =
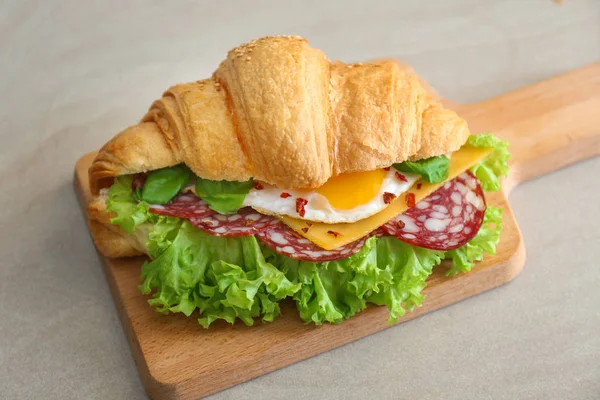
(353, 189)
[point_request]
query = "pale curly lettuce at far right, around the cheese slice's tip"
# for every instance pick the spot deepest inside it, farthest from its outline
(490, 170)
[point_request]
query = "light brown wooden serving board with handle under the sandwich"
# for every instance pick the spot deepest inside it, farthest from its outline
(549, 125)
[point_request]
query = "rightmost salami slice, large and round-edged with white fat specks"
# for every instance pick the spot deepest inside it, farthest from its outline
(444, 220)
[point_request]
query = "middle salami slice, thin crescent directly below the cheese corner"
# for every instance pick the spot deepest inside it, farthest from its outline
(285, 241)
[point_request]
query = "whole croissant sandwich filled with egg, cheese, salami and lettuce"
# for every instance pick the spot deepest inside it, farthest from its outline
(286, 175)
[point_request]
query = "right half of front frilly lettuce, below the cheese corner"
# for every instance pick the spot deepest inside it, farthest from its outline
(386, 272)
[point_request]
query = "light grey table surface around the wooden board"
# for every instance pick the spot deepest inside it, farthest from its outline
(76, 72)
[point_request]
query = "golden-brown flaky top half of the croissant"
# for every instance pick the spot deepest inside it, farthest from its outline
(278, 111)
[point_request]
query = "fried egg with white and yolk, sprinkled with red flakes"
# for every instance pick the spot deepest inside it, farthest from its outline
(345, 198)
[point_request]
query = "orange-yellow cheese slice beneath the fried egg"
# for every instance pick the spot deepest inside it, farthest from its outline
(317, 232)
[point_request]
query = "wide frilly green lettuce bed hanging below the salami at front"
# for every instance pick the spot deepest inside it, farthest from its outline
(237, 278)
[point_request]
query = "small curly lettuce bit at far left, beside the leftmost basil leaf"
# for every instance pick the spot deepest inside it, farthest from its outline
(129, 212)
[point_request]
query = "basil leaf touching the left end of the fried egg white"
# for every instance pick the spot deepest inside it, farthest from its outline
(225, 197)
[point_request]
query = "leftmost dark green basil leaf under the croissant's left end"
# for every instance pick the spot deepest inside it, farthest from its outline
(164, 184)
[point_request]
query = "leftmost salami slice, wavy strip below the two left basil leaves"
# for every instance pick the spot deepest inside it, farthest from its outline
(245, 222)
